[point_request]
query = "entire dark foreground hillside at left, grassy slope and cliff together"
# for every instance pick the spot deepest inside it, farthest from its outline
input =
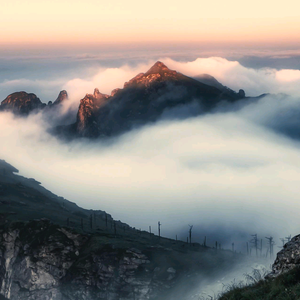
(52, 249)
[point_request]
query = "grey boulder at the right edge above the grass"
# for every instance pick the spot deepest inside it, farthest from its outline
(288, 258)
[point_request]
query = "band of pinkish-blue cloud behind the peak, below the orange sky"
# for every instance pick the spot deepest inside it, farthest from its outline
(45, 72)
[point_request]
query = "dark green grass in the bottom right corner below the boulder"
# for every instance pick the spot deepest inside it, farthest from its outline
(283, 287)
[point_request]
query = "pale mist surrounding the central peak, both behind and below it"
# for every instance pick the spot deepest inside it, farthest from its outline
(231, 173)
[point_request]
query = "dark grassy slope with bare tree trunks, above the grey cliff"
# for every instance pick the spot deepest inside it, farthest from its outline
(22, 200)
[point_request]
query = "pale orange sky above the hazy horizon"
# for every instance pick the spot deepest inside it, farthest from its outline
(55, 22)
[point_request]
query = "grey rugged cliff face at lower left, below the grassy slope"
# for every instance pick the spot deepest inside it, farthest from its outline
(42, 261)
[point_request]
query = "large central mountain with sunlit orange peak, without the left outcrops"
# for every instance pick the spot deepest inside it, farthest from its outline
(143, 99)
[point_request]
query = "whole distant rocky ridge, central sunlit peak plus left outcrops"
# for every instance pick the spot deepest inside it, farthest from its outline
(145, 98)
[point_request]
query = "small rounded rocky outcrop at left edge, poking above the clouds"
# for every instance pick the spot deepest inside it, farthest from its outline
(21, 103)
